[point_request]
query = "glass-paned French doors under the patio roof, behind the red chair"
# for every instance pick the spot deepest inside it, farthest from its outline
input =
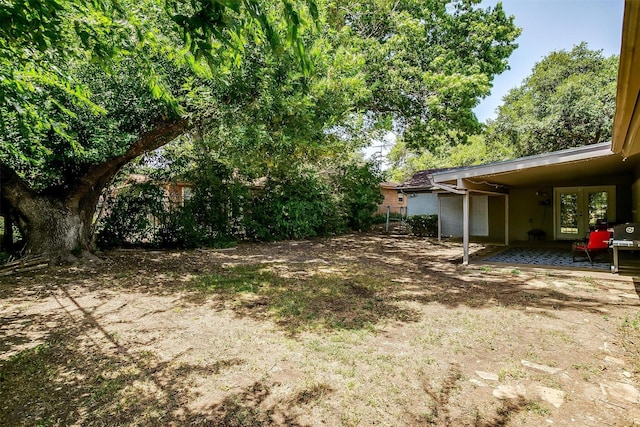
(577, 209)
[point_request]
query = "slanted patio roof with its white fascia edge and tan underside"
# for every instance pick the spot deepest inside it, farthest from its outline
(550, 169)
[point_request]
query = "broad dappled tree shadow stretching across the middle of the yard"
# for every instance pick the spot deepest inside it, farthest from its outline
(346, 283)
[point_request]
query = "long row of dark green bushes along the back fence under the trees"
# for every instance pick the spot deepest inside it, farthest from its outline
(217, 214)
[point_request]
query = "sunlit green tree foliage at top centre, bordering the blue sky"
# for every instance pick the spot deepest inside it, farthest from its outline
(428, 62)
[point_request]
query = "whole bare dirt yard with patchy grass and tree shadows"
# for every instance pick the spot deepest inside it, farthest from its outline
(357, 330)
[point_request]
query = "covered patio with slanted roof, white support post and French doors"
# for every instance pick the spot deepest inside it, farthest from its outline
(551, 198)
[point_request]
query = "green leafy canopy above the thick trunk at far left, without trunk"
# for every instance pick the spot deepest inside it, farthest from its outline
(77, 95)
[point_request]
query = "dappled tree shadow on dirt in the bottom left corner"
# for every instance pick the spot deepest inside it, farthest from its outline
(72, 379)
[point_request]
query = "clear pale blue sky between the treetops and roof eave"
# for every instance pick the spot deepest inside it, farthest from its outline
(551, 25)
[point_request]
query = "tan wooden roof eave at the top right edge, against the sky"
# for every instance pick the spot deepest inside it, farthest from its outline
(626, 122)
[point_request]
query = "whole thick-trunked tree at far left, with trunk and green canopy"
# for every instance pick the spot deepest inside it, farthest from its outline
(88, 86)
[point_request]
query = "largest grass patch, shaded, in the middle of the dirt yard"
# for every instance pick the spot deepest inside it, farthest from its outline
(300, 299)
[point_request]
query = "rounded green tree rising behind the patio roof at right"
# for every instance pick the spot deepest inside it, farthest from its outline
(567, 101)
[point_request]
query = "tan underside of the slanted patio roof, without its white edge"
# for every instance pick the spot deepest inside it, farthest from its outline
(530, 174)
